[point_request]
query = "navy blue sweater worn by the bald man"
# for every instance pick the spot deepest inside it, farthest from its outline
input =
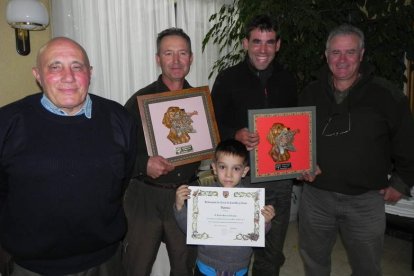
(61, 184)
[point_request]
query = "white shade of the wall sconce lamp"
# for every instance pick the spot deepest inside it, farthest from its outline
(27, 14)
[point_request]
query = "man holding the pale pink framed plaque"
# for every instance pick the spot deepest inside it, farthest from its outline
(151, 194)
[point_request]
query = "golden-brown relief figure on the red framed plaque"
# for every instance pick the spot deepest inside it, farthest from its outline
(281, 138)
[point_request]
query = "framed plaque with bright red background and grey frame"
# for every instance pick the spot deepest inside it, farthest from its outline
(287, 145)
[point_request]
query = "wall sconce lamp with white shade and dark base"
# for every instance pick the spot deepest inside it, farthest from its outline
(25, 16)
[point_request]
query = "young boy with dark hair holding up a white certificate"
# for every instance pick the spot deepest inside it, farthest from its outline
(229, 166)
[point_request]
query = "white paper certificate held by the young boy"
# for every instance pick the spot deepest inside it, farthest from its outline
(226, 216)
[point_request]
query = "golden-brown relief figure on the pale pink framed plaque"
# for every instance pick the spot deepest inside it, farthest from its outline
(180, 124)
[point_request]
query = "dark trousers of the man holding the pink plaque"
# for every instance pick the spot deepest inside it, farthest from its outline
(151, 220)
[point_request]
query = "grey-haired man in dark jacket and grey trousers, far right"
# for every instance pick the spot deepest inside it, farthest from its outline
(365, 134)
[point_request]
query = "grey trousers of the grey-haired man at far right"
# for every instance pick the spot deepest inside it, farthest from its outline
(360, 221)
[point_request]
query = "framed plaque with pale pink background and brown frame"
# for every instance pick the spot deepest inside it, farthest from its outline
(179, 125)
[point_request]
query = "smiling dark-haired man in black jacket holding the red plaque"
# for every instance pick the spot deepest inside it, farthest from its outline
(258, 82)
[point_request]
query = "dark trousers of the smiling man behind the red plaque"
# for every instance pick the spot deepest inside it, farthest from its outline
(268, 260)
